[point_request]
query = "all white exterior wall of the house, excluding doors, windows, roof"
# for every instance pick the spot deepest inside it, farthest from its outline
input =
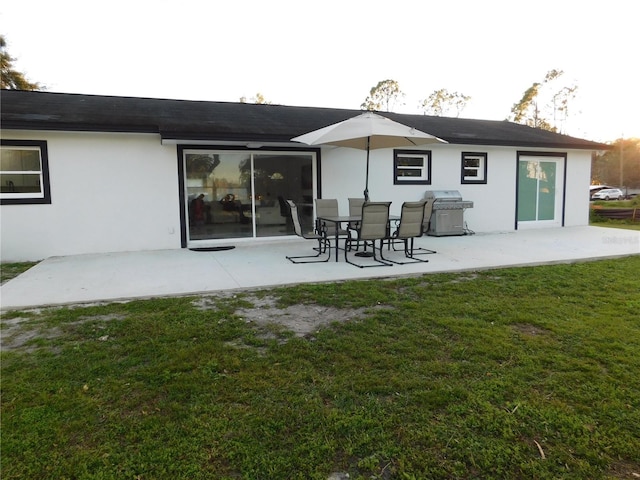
(119, 192)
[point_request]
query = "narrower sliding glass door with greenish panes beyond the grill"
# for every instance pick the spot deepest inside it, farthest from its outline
(540, 187)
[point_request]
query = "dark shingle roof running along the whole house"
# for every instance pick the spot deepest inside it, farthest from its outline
(226, 121)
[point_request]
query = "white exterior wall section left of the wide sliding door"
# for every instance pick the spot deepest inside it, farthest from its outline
(109, 192)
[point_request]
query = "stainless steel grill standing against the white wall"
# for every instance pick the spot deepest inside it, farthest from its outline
(447, 215)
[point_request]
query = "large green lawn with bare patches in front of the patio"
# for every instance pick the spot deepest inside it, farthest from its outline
(524, 373)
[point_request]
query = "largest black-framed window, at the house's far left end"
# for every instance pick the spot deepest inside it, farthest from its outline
(24, 172)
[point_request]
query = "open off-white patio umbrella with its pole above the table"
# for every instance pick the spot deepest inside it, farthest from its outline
(368, 131)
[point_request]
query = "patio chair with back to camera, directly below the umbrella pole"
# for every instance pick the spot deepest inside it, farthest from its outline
(374, 225)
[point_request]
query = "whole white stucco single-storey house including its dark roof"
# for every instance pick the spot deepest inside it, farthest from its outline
(91, 174)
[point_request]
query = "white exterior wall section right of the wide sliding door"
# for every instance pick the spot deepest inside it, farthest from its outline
(494, 210)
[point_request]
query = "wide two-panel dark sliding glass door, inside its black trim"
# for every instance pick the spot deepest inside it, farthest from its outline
(235, 194)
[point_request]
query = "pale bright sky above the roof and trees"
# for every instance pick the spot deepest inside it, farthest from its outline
(331, 53)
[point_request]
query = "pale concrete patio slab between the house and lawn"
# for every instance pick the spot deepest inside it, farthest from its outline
(131, 275)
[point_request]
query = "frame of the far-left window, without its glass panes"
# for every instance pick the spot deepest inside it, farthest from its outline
(44, 195)
